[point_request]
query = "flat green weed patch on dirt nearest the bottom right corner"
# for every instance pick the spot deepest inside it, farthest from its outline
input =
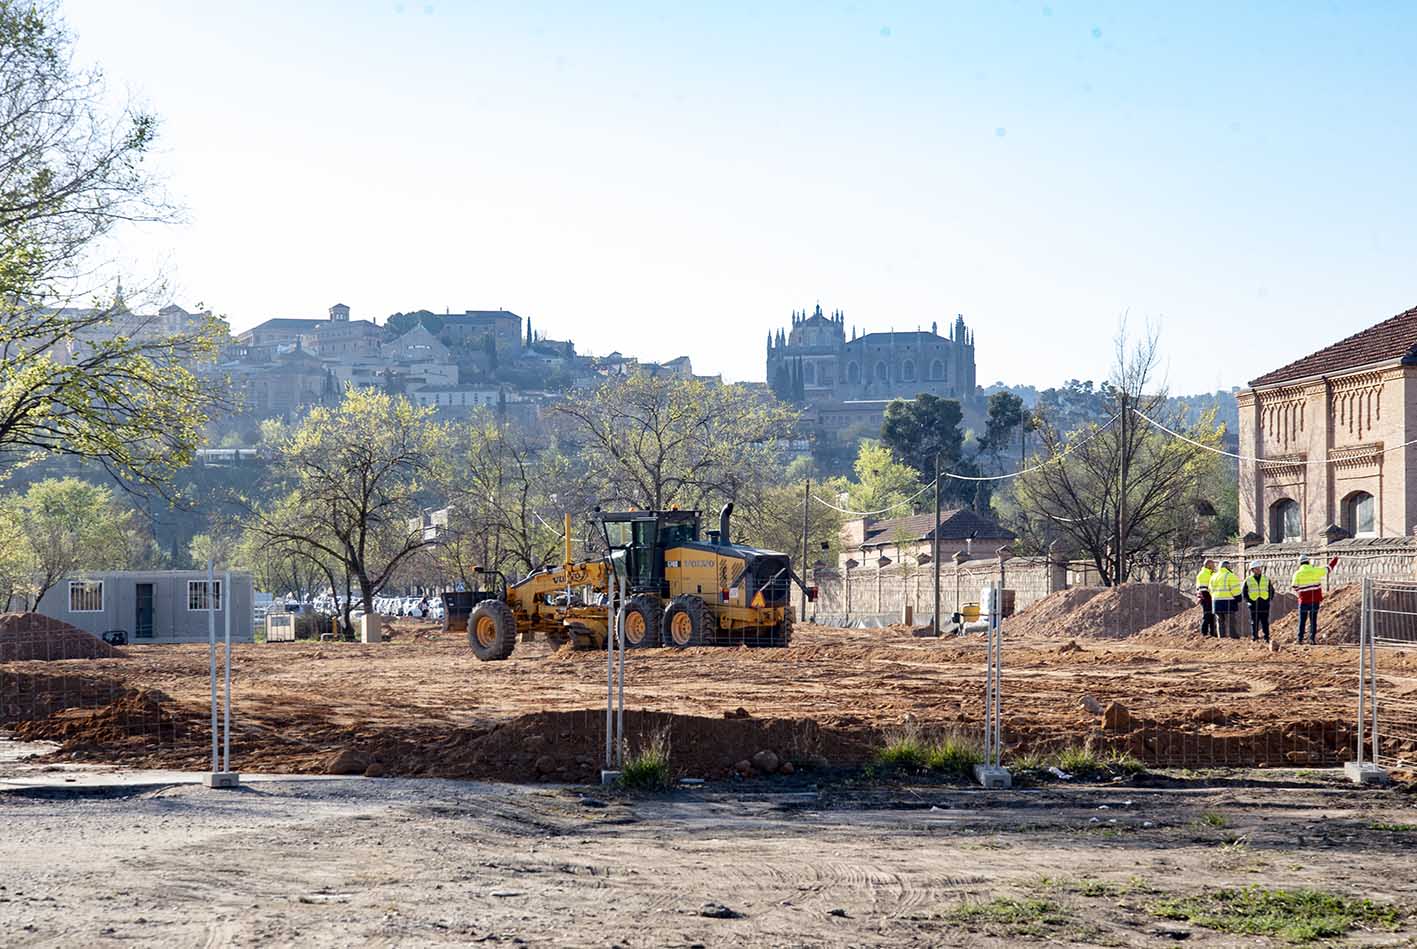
(1293, 916)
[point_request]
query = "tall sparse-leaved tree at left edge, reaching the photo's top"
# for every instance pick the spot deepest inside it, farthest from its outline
(90, 382)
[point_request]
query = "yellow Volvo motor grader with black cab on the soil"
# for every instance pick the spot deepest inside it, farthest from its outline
(681, 591)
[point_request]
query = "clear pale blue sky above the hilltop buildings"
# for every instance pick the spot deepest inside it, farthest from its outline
(670, 179)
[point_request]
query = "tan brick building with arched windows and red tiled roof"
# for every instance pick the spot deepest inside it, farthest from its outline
(1327, 427)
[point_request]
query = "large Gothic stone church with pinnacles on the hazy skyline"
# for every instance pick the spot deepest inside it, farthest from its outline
(815, 363)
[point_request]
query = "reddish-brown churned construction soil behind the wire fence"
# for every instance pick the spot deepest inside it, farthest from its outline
(422, 705)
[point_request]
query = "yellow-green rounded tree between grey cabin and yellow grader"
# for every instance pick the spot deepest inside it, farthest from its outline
(356, 477)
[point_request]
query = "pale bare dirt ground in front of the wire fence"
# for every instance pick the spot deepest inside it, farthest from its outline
(395, 862)
